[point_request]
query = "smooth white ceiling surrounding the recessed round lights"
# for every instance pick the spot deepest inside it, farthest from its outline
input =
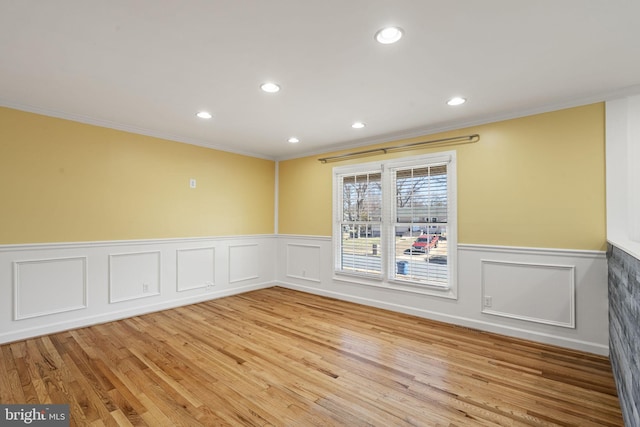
(148, 66)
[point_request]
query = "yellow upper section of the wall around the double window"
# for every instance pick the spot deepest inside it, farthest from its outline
(537, 181)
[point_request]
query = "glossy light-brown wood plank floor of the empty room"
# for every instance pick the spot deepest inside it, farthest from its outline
(277, 357)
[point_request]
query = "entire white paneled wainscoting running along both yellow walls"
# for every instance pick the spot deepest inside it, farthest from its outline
(53, 287)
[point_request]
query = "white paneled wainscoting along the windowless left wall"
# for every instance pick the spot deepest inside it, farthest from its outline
(62, 286)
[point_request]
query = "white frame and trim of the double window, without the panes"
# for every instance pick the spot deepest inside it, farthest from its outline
(387, 235)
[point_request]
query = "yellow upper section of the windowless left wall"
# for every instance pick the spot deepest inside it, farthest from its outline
(62, 181)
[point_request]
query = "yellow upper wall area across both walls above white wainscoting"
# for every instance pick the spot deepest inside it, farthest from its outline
(537, 181)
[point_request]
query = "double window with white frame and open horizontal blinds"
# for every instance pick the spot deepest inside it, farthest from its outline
(395, 223)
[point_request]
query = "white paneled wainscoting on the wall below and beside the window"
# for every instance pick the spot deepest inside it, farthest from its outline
(582, 276)
